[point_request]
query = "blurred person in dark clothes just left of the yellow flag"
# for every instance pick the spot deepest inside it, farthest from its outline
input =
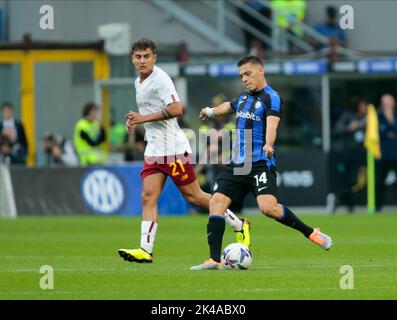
(350, 154)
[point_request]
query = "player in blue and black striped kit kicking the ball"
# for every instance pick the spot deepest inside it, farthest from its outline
(252, 168)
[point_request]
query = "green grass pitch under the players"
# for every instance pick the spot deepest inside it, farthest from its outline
(83, 252)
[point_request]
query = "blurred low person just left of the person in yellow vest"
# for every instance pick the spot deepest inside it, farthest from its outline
(59, 151)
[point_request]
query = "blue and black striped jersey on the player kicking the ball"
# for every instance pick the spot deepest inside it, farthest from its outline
(251, 110)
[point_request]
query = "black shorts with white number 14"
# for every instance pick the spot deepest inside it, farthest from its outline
(261, 180)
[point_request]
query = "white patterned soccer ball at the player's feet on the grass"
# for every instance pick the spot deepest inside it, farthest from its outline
(236, 256)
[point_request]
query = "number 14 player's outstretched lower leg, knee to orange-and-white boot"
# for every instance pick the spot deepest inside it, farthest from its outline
(269, 206)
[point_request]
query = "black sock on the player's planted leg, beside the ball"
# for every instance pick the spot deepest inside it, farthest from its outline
(215, 230)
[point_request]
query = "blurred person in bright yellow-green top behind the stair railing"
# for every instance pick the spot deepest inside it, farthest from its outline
(288, 16)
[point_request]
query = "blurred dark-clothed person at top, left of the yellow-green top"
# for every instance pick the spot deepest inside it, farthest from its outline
(253, 45)
